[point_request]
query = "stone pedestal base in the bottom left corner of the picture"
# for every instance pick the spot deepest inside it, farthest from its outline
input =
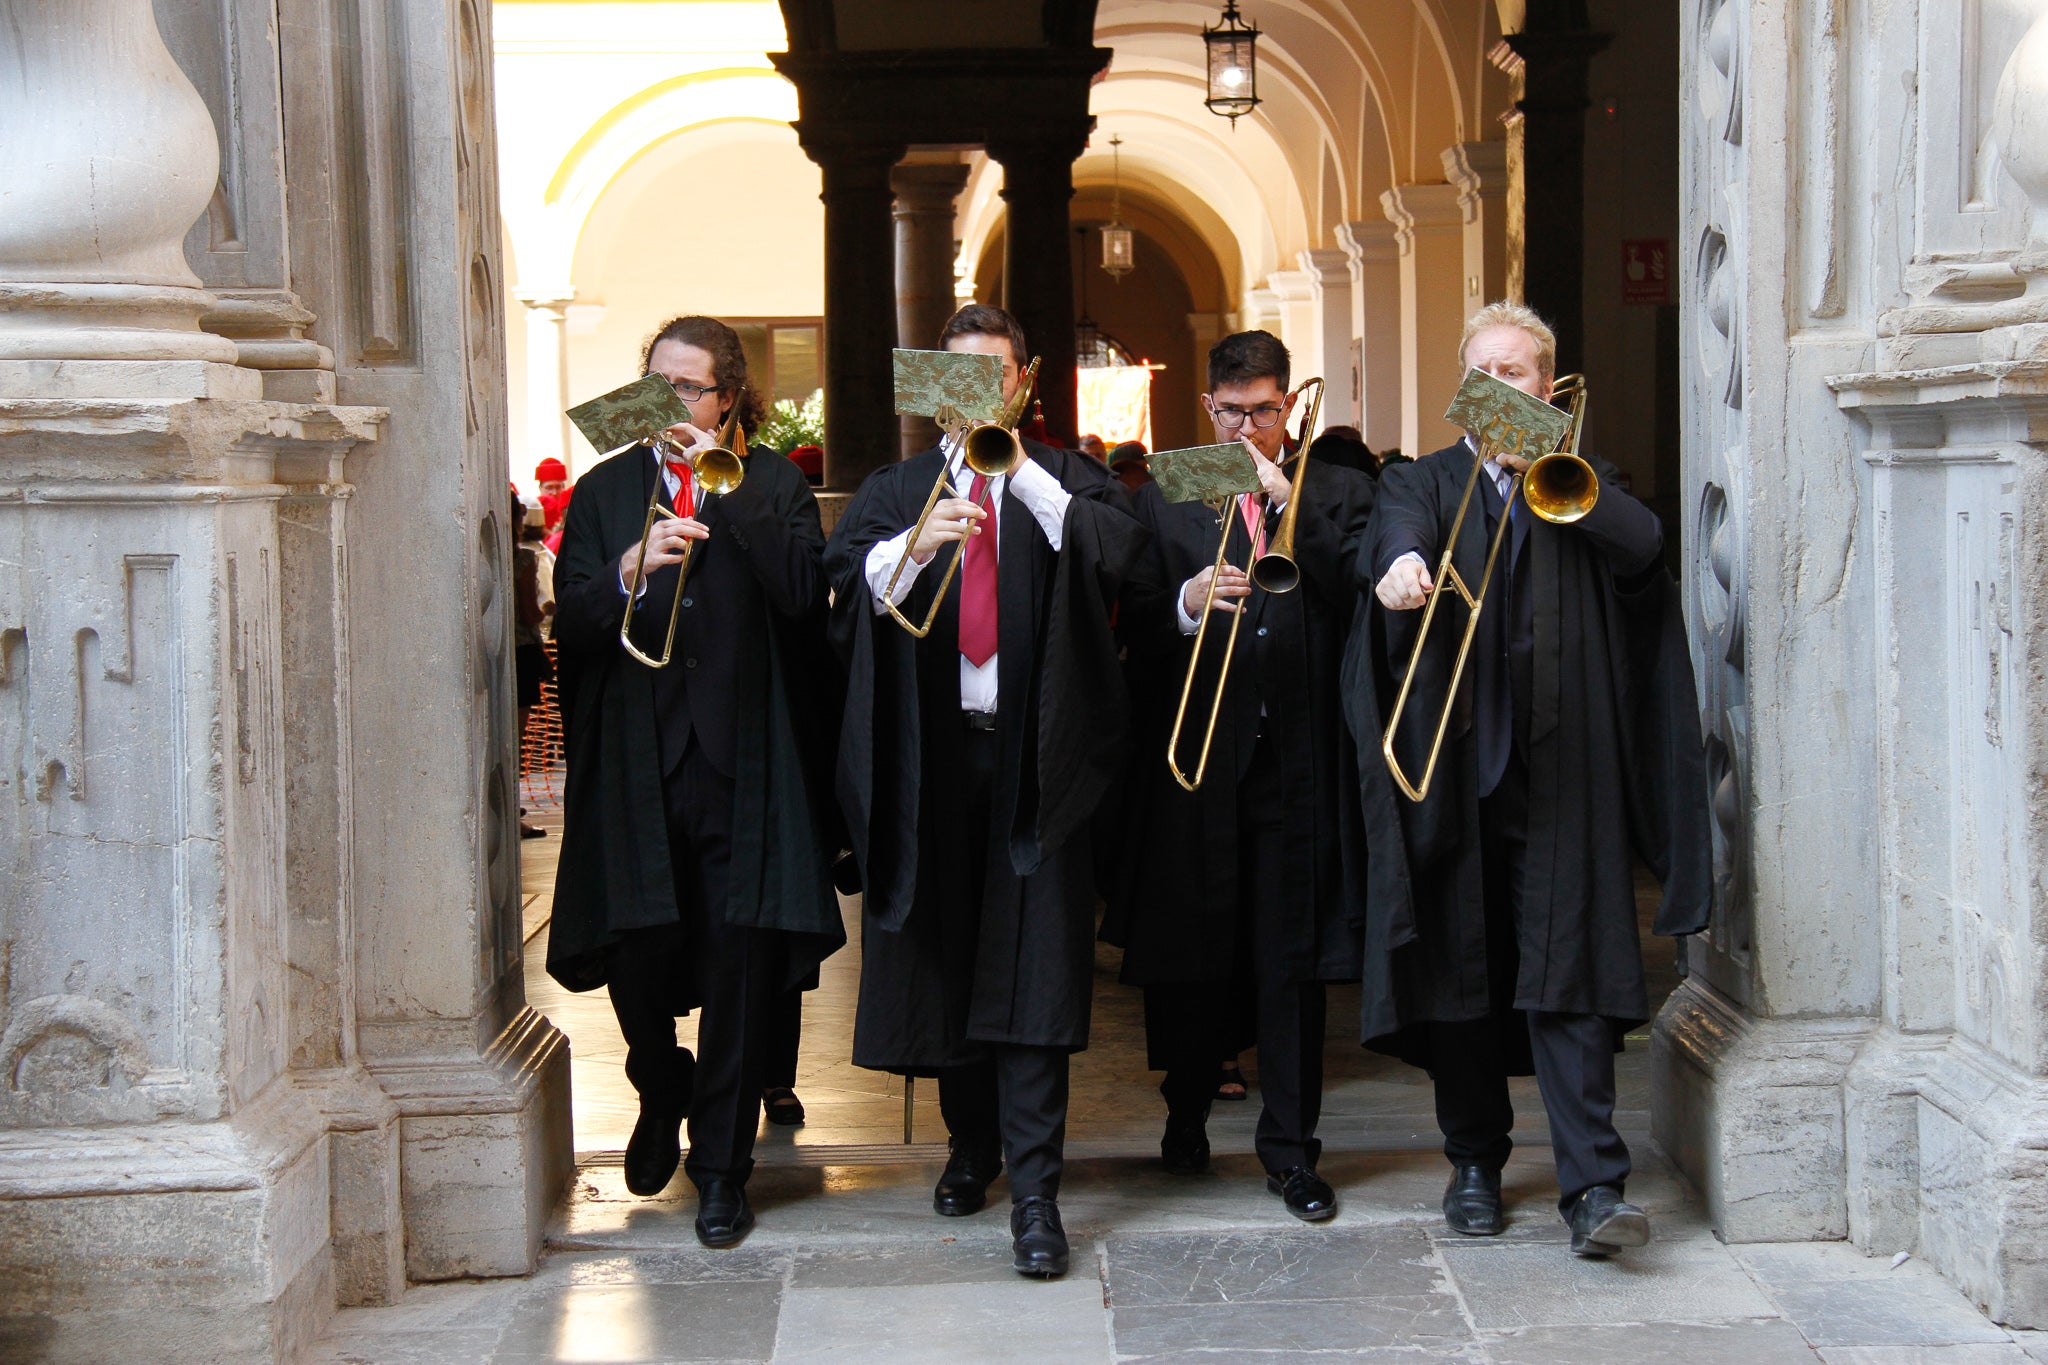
(167, 1243)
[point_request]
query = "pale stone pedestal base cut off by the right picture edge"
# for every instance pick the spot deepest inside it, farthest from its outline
(1949, 1159)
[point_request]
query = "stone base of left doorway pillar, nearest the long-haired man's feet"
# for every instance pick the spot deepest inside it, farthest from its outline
(484, 1153)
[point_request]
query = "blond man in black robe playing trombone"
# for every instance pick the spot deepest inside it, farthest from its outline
(1502, 920)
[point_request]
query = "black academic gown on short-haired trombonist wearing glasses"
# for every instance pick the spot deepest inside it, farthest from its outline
(1177, 916)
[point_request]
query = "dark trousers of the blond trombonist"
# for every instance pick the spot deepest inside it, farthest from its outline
(1574, 1053)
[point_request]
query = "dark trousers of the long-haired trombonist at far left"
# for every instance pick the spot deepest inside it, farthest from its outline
(734, 975)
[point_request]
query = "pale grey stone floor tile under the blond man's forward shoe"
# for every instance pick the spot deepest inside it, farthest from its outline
(1547, 1286)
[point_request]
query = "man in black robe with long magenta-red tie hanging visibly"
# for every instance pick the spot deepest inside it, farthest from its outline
(970, 766)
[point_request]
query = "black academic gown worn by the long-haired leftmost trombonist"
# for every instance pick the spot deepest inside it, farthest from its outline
(757, 597)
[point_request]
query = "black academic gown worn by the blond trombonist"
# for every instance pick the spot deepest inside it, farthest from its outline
(1615, 768)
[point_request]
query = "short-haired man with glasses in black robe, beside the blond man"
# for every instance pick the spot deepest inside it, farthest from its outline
(1242, 893)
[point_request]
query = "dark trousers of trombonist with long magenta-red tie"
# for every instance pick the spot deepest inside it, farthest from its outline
(1017, 1098)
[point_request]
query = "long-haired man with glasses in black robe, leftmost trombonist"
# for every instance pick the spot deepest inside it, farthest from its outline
(695, 861)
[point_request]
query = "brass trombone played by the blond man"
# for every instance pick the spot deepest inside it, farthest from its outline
(1560, 488)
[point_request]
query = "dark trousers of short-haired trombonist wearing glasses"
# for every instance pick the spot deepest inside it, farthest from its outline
(1191, 1024)
